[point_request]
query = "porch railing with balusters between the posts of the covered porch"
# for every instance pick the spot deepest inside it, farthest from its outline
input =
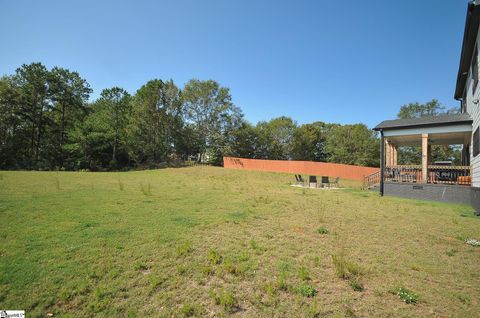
(435, 174)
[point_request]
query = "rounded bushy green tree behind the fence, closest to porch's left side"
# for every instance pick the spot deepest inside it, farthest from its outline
(352, 144)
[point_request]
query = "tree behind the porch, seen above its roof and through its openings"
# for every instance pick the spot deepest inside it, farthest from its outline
(412, 155)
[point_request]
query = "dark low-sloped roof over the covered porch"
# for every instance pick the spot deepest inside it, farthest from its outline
(442, 120)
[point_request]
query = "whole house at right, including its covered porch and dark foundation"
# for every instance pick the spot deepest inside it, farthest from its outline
(430, 180)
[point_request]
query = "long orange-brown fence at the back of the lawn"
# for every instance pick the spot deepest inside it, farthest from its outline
(299, 167)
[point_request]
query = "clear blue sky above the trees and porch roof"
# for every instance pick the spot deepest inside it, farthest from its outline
(333, 61)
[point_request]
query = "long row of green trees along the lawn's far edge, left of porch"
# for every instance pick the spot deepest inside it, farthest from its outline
(48, 123)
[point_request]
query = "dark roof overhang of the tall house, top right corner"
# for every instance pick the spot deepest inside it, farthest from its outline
(469, 38)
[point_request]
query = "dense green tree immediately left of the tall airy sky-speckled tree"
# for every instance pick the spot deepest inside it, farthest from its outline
(156, 122)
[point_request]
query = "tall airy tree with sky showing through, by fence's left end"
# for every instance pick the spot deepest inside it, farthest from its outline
(210, 110)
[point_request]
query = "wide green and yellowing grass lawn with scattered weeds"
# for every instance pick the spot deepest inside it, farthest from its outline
(205, 241)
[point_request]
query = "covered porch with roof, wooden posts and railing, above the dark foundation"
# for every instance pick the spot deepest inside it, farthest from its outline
(424, 133)
